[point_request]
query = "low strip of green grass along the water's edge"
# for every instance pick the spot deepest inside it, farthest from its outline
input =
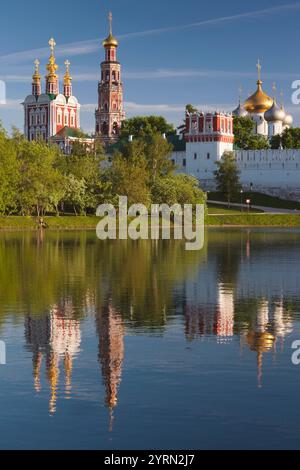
(90, 223)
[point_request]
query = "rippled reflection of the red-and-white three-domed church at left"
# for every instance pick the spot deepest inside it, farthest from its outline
(57, 338)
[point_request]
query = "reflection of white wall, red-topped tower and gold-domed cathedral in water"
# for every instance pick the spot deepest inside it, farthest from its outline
(239, 294)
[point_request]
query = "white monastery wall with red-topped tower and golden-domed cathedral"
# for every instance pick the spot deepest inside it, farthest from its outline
(209, 134)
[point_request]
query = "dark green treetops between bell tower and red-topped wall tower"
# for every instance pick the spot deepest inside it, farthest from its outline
(142, 126)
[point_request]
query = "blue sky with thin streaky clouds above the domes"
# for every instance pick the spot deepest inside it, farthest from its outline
(173, 52)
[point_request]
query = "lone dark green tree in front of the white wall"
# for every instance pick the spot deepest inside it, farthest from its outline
(228, 176)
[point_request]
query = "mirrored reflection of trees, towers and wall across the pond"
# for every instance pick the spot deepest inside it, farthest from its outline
(231, 291)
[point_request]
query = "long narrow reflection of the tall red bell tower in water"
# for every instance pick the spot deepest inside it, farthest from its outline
(111, 353)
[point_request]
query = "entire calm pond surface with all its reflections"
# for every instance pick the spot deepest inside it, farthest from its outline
(132, 345)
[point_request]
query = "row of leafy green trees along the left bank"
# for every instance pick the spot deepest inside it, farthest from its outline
(37, 179)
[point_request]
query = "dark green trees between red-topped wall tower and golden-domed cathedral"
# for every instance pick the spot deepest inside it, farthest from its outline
(244, 137)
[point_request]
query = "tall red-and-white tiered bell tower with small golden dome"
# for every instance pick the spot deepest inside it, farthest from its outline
(110, 114)
